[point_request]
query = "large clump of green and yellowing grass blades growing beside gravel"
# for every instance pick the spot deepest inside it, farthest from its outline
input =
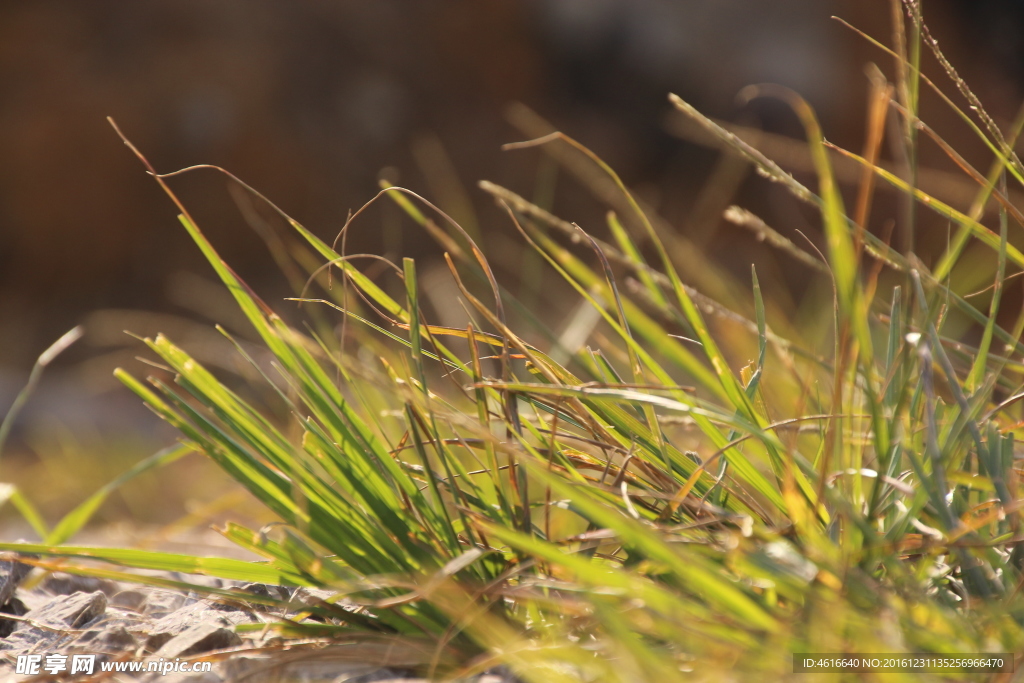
(580, 515)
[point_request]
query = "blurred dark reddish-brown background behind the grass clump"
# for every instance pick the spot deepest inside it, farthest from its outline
(313, 102)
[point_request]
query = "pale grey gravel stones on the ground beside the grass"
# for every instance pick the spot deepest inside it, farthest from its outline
(66, 615)
